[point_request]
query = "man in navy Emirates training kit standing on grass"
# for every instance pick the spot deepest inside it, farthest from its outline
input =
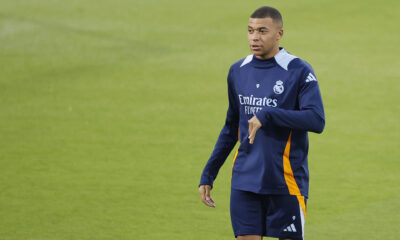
(274, 100)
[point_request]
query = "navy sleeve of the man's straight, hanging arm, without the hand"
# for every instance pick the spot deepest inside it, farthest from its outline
(226, 140)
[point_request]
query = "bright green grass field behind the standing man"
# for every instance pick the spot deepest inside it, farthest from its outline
(110, 110)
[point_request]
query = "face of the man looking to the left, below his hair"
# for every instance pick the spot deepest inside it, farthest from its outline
(263, 36)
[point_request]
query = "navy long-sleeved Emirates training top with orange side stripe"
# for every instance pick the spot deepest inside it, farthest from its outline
(283, 93)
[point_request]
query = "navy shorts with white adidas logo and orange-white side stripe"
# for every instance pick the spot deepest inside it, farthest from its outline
(278, 216)
